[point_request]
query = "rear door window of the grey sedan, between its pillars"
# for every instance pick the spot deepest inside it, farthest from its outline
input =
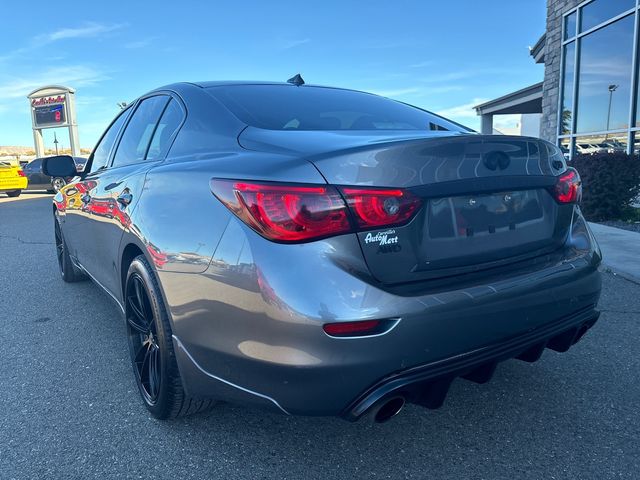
(137, 135)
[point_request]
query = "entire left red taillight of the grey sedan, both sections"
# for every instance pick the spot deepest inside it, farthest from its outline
(298, 212)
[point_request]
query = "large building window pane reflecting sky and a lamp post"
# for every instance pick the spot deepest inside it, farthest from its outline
(604, 77)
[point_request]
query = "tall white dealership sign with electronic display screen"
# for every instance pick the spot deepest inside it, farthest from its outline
(54, 106)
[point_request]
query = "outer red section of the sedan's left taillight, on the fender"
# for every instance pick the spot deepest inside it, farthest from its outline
(285, 213)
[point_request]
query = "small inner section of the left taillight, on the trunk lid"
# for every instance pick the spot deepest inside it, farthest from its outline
(381, 207)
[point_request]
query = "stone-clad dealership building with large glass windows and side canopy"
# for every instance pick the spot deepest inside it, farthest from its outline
(589, 95)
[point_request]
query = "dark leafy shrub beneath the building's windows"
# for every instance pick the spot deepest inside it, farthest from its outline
(610, 184)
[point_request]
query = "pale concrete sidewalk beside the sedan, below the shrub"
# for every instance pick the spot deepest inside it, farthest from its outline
(620, 249)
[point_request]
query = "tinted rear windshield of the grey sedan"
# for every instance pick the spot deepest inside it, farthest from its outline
(287, 107)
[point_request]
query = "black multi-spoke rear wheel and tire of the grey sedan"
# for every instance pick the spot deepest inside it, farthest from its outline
(151, 347)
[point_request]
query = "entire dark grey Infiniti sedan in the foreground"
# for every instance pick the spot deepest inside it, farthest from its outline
(321, 251)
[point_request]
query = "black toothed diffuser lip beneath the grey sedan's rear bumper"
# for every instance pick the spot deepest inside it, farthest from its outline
(427, 385)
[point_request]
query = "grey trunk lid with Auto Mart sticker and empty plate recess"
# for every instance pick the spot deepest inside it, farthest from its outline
(486, 200)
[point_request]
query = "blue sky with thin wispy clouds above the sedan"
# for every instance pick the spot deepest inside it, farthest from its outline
(445, 56)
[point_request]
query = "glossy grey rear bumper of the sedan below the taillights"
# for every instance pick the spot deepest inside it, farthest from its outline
(250, 331)
